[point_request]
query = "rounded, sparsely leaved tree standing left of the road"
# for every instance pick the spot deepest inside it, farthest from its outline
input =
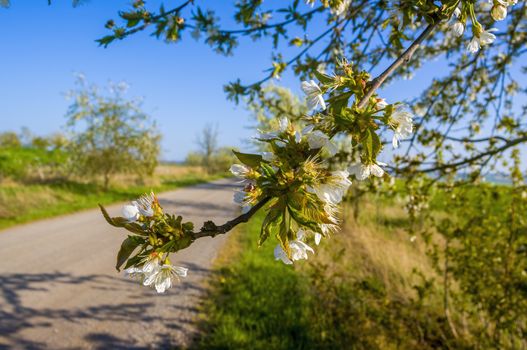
(110, 134)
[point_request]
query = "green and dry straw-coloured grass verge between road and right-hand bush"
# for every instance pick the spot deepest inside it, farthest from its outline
(359, 291)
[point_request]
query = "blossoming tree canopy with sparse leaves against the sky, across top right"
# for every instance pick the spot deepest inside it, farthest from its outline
(481, 89)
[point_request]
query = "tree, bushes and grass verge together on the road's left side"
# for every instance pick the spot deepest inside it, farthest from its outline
(109, 153)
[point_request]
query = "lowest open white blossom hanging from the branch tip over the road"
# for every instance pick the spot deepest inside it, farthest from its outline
(157, 274)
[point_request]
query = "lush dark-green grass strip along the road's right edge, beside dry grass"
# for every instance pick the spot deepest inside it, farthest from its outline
(255, 302)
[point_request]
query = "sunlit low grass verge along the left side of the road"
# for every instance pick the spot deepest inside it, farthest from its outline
(21, 203)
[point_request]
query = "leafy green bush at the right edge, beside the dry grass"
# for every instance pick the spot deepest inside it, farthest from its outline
(483, 261)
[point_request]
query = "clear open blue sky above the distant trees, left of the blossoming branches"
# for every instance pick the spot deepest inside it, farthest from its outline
(182, 84)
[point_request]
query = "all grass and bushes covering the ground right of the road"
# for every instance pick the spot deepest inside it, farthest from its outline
(380, 283)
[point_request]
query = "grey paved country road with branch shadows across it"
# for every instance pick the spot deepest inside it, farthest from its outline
(59, 289)
